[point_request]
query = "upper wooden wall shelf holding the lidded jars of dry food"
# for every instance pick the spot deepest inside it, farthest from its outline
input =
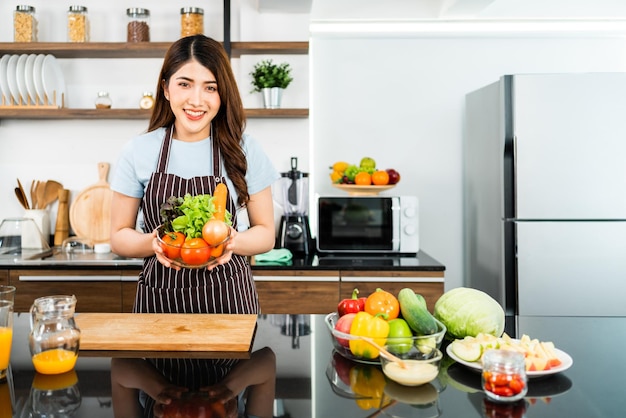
(140, 49)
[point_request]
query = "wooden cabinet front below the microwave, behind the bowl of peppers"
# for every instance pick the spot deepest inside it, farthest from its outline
(428, 284)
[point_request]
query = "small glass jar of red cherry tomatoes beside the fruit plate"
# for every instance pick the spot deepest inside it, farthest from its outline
(504, 375)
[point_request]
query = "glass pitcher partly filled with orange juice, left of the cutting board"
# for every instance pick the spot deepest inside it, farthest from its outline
(54, 337)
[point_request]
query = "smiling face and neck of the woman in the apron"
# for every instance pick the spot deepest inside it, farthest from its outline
(192, 93)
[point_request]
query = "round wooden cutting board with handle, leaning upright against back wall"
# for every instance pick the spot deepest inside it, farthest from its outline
(90, 213)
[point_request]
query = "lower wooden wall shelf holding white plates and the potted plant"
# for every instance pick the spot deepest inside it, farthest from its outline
(68, 113)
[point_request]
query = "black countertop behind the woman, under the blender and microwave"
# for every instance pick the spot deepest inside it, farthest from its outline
(364, 262)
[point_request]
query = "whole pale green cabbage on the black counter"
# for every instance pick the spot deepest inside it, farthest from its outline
(468, 312)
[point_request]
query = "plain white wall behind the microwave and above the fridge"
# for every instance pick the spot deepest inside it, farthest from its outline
(399, 98)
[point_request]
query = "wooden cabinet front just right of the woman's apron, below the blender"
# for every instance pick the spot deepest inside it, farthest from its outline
(292, 292)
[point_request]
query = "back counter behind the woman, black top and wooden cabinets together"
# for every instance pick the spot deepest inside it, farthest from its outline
(107, 282)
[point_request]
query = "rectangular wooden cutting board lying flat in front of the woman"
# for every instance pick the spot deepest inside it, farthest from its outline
(218, 335)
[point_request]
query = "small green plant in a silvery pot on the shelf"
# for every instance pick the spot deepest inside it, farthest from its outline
(270, 79)
